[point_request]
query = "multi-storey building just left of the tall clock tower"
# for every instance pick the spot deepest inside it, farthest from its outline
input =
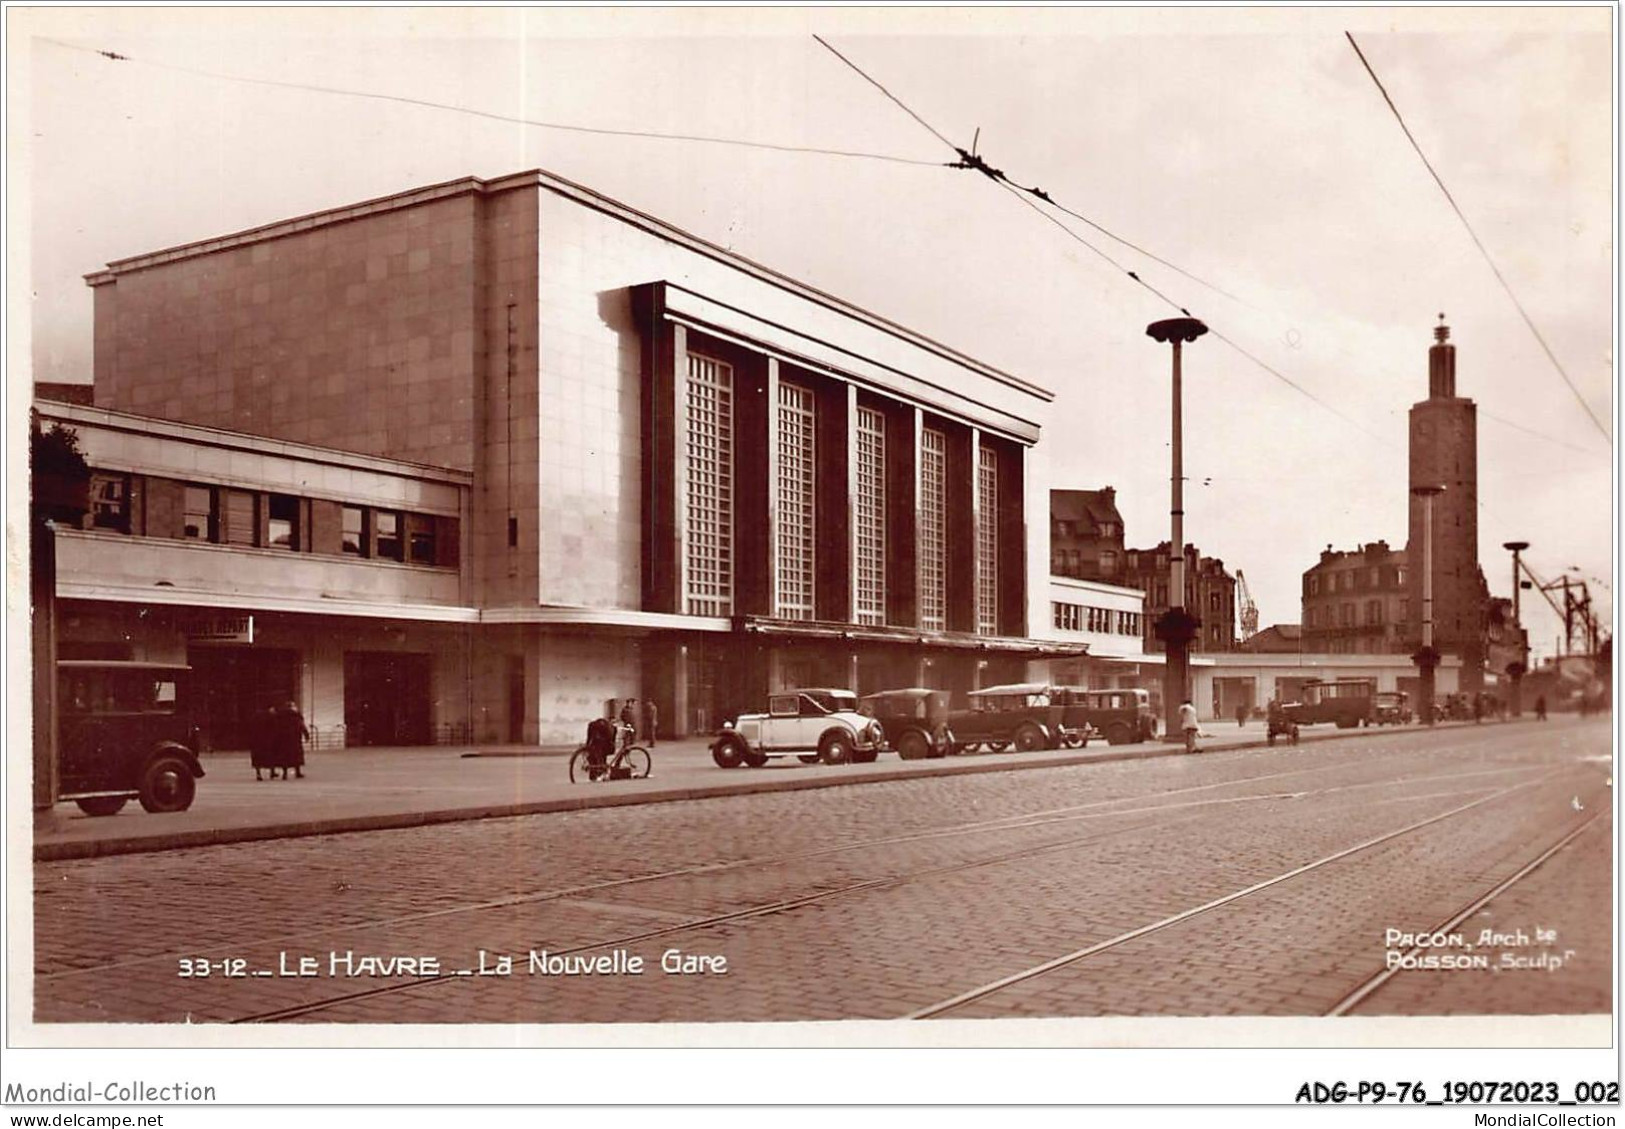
(1358, 602)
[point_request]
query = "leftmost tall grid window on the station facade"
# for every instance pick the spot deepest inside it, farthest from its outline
(708, 543)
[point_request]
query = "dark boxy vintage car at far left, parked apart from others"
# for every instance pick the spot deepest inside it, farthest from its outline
(121, 735)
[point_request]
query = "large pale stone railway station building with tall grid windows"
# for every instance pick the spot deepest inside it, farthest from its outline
(470, 462)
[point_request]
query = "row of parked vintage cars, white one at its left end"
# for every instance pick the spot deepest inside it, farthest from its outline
(917, 724)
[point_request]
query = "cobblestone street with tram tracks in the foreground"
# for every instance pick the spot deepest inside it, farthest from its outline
(1249, 883)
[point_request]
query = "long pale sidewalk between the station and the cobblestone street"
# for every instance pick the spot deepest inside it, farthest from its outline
(357, 790)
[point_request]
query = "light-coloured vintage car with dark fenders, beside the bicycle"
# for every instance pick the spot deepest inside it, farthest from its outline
(812, 725)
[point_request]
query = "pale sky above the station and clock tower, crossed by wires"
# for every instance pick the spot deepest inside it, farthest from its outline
(1247, 149)
